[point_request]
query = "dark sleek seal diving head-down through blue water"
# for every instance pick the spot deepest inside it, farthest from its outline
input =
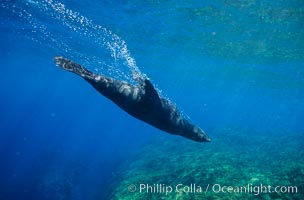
(141, 101)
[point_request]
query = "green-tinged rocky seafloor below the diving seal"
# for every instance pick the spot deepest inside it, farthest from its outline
(237, 164)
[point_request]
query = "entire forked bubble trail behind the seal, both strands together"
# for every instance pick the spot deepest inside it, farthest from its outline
(81, 25)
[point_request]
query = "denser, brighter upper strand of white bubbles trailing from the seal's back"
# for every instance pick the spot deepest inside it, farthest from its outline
(85, 27)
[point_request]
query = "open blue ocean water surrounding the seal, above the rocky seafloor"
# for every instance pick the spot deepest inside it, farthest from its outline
(226, 64)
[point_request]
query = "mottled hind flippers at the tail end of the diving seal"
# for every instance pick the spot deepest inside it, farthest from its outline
(73, 67)
